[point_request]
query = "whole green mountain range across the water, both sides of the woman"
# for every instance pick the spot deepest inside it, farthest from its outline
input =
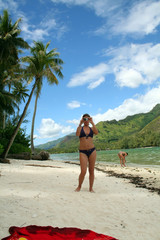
(139, 130)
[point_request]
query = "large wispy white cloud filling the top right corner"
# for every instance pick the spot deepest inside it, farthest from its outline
(143, 17)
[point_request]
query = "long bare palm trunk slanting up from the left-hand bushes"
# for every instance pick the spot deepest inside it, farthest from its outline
(5, 153)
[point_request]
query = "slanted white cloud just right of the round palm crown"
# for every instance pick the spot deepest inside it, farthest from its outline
(93, 76)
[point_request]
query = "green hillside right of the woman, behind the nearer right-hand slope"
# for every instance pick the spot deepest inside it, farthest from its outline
(112, 132)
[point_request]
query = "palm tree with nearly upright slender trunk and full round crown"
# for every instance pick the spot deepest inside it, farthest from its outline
(43, 64)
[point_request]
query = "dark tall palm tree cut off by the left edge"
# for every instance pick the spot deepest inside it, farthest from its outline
(10, 42)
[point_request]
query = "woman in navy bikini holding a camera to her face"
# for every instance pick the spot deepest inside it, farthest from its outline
(87, 151)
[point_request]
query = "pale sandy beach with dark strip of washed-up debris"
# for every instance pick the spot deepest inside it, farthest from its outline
(42, 193)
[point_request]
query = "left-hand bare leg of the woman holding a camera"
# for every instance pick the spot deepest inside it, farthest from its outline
(83, 164)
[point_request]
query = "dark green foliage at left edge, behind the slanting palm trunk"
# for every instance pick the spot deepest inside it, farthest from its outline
(11, 75)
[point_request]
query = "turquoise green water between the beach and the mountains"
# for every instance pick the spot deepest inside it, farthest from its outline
(138, 156)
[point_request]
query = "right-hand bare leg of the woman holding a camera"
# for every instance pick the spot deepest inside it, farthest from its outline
(92, 160)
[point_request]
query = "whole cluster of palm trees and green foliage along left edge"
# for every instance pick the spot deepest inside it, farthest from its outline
(15, 74)
